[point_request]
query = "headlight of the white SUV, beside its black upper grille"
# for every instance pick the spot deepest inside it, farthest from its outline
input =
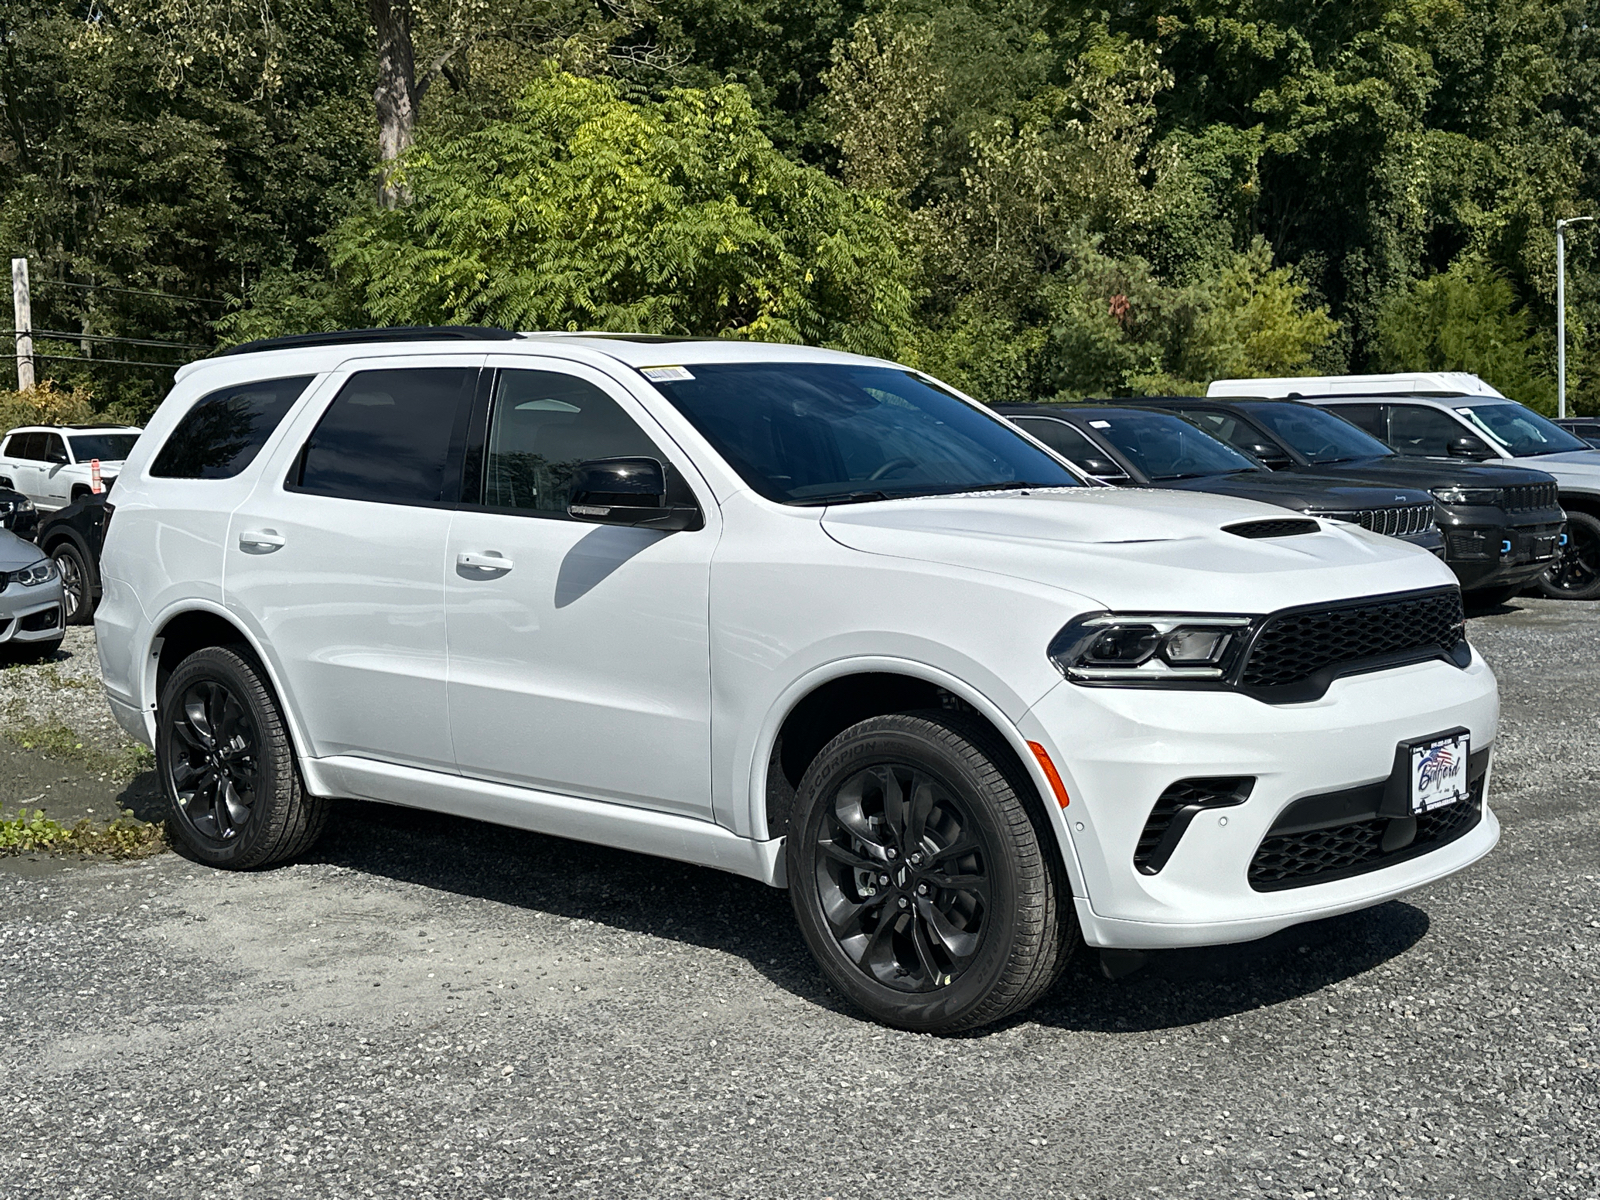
(1150, 647)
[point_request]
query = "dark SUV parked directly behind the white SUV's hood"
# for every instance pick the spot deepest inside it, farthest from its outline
(1151, 449)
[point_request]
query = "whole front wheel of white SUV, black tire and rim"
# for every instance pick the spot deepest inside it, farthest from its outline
(922, 884)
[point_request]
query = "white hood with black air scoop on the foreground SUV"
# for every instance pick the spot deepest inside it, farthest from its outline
(1138, 550)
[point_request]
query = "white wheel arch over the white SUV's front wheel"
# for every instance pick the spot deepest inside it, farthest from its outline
(830, 700)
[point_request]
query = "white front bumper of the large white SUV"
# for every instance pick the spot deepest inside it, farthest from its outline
(1121, 750)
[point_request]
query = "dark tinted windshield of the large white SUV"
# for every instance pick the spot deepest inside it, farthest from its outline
(826, 433)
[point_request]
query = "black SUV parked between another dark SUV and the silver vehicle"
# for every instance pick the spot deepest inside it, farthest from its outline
(1503, 526)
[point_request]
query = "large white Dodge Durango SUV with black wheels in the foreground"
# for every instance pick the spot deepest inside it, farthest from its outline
(799, 615)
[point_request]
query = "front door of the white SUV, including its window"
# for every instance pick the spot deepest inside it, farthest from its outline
(578, 654)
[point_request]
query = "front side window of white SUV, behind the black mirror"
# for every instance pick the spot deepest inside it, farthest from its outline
(542, 426)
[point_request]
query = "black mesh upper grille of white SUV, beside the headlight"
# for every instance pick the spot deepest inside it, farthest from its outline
(1297, 646)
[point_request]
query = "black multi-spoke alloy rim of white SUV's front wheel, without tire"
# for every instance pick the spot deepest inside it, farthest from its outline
(903, 878)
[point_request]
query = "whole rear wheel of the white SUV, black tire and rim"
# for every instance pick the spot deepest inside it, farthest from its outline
(225, 759)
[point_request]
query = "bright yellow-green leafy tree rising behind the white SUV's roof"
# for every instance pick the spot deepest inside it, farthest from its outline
(590, 212)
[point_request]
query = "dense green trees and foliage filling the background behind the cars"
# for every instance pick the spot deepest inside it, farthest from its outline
(1033, 199)
